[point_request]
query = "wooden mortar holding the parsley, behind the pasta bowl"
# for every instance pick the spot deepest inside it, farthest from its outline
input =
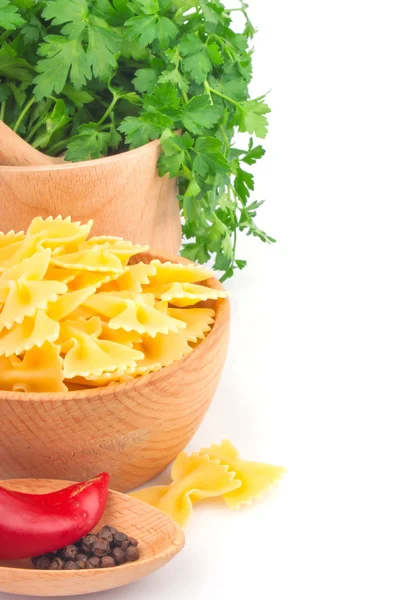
(123, 194)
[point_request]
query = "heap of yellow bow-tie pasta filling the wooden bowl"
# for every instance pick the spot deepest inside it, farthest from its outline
(73, 312)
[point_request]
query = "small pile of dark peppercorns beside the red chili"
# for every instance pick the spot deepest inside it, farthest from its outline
(107, 548)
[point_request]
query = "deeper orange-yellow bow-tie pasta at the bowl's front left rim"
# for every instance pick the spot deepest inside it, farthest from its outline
(40, 370)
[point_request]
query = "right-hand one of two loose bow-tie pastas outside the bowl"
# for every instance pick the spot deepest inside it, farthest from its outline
(255, 477)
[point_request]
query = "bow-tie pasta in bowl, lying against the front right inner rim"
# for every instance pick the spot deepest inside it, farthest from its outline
(161, 351)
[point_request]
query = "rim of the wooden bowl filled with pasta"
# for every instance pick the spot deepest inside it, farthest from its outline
(222, 312)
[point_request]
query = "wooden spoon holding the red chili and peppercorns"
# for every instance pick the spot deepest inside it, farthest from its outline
(160, 539)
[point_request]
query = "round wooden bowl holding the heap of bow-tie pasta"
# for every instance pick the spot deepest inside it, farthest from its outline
(132, 430)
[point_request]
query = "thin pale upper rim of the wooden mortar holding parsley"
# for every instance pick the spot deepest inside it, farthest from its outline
(84, 164)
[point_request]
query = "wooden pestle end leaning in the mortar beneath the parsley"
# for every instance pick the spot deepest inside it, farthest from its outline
(15, 152)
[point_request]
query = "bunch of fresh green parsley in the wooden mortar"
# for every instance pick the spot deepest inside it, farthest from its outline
(95, 77)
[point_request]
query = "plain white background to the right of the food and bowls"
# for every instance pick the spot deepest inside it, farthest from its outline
(312, 376)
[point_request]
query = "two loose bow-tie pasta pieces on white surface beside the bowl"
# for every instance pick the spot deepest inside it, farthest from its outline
(217, 471)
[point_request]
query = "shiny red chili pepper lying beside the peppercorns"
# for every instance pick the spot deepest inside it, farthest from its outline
(34, 524)
